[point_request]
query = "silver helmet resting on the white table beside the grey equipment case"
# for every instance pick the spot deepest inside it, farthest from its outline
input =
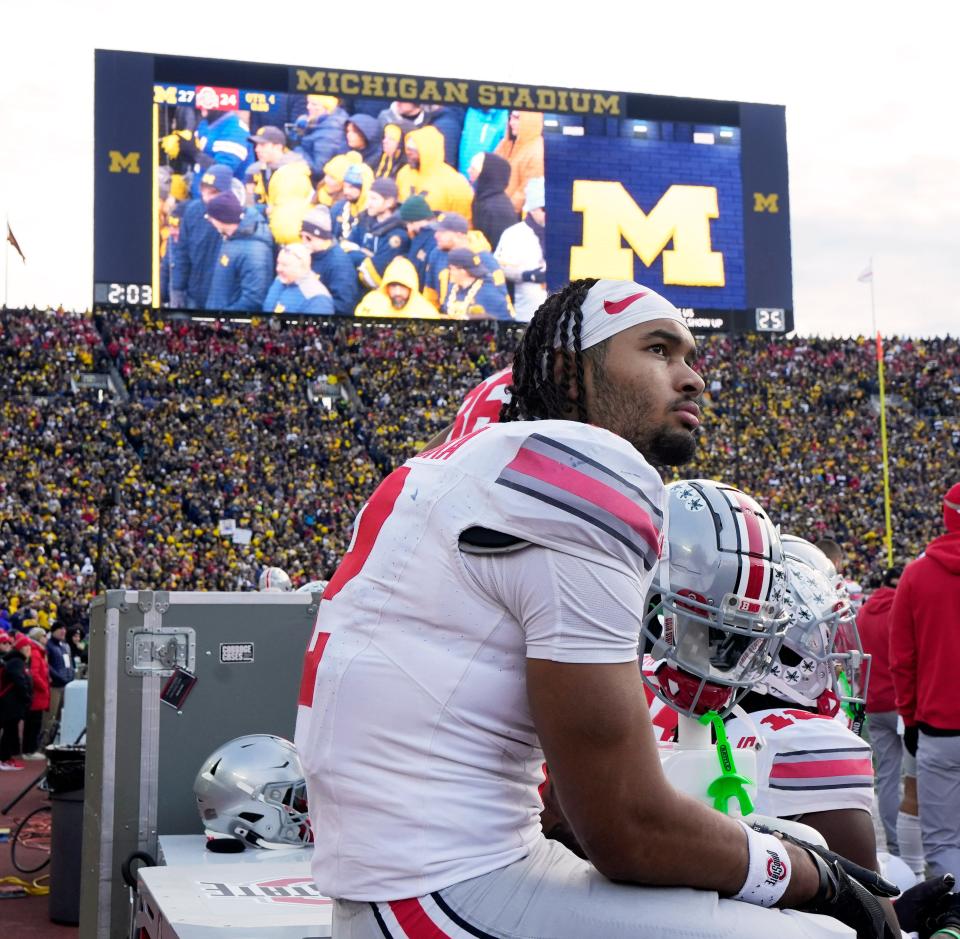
(252, 789)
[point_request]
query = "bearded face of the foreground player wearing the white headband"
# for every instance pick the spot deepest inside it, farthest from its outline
(645, 388)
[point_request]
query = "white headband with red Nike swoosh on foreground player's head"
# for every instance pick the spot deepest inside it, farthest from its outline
(612, 306)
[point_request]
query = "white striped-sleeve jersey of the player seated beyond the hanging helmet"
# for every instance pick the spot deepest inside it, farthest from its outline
(807, 762)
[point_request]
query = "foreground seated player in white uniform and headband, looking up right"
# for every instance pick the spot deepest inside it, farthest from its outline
(488, 613)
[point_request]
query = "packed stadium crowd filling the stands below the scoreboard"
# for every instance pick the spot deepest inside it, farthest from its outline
(215, 422)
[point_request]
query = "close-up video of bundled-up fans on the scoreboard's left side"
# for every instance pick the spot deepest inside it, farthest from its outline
(329, 206)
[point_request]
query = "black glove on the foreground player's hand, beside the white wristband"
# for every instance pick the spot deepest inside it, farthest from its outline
(847, 891)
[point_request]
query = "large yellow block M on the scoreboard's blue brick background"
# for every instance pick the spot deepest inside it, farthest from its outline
(682, 216)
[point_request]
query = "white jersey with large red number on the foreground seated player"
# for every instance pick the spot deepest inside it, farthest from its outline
(414, 731)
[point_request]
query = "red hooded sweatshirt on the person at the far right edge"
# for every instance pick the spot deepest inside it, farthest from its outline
(925, 637)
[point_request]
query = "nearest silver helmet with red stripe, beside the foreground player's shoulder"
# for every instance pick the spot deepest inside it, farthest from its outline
(716, 615)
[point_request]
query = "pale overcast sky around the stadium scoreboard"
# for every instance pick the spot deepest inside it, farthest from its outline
(873, 137)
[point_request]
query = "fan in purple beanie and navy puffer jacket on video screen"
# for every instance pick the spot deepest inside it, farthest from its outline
(243, 271)
